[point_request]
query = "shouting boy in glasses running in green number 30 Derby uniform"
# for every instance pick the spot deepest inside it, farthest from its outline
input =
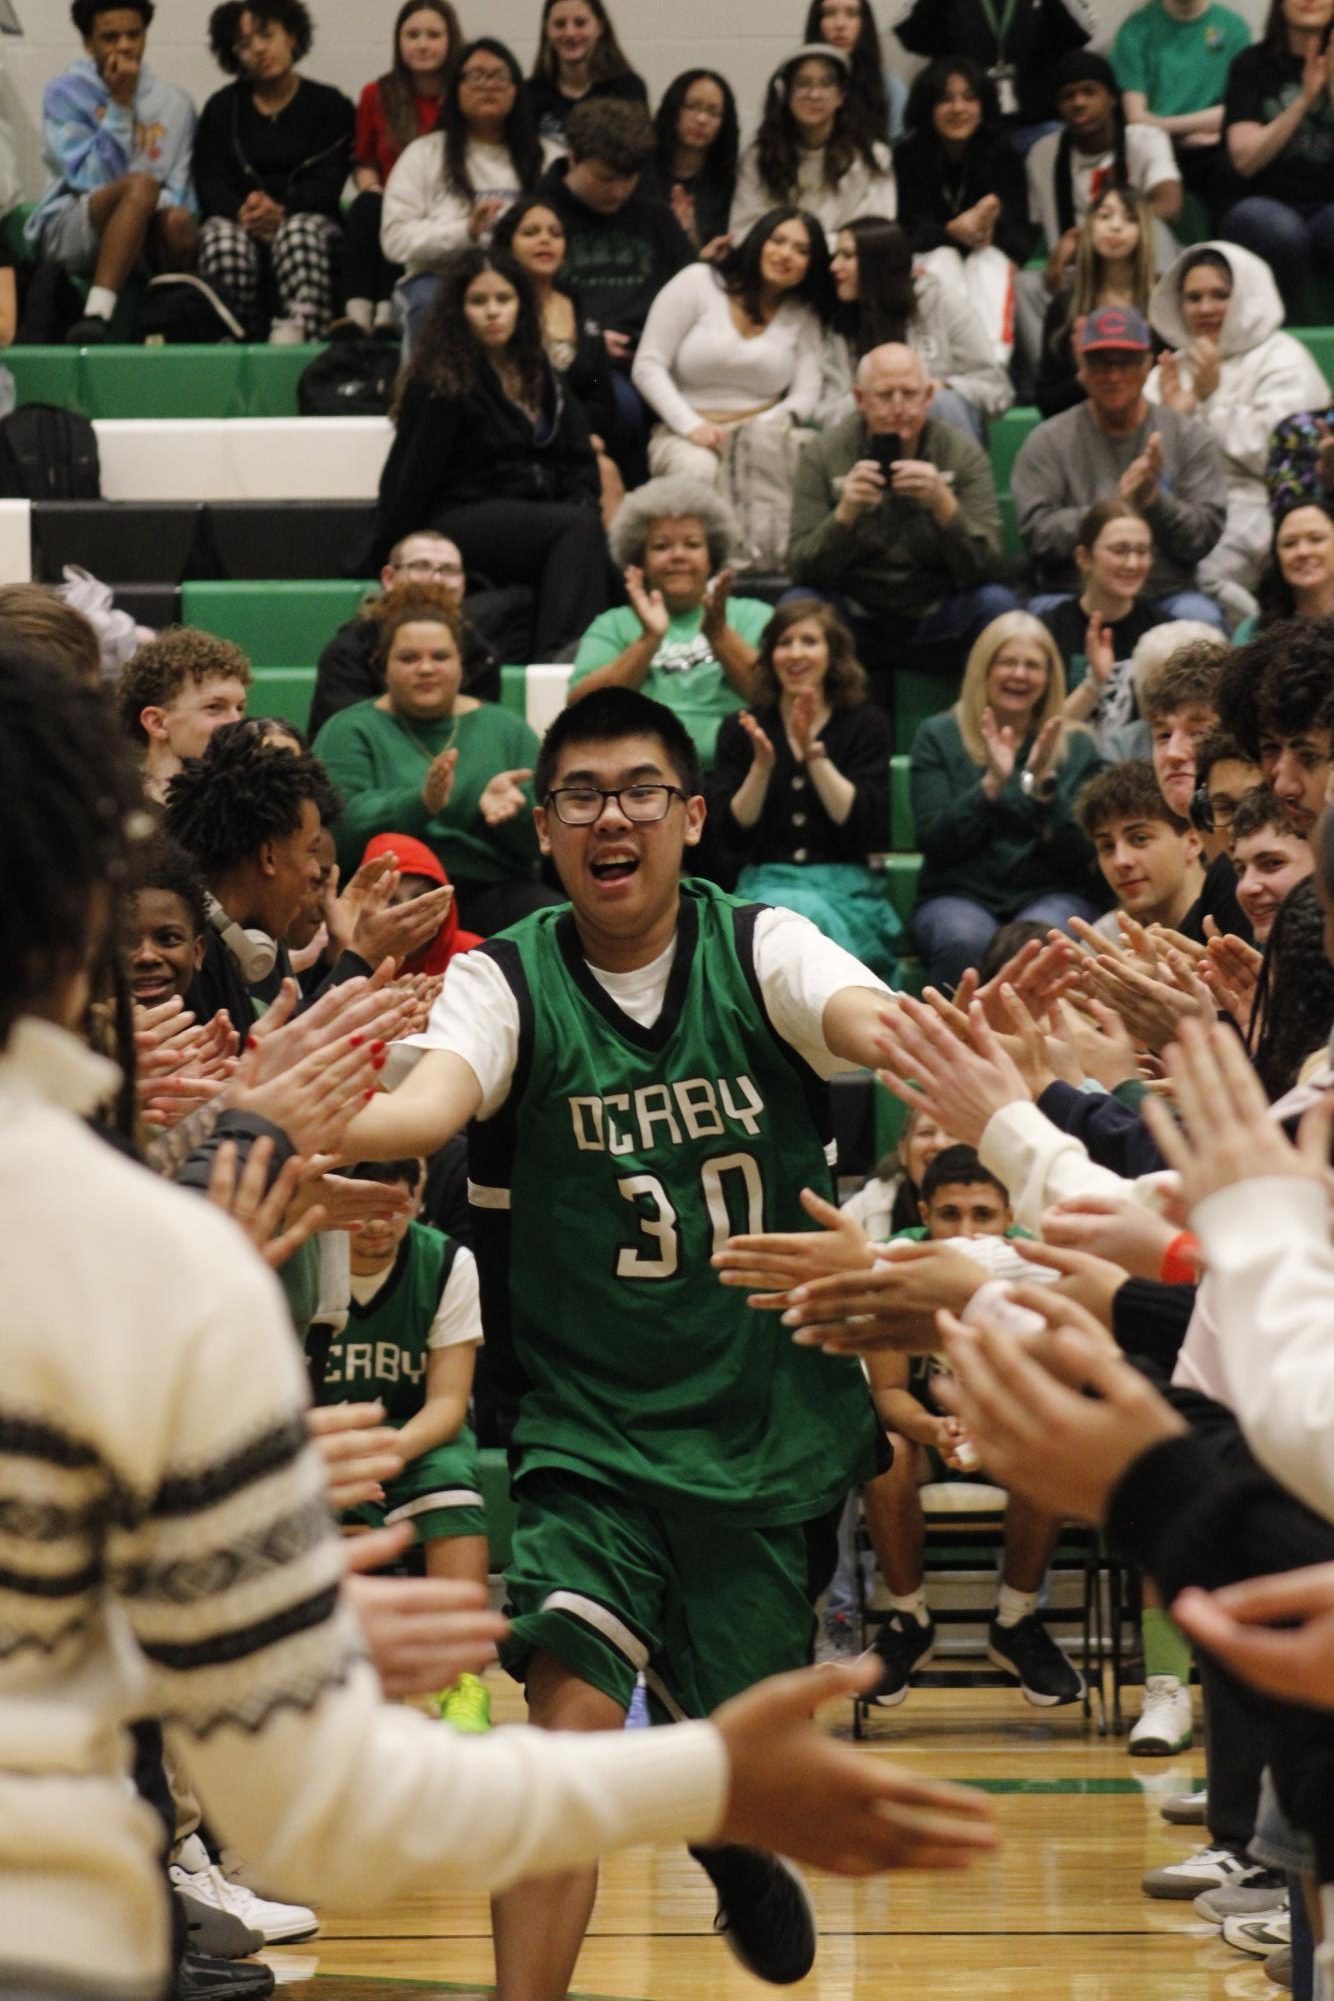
(645, 1076)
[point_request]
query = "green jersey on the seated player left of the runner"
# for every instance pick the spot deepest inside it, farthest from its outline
(383, 1348)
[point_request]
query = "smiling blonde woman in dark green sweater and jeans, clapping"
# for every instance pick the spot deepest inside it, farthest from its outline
(993, 795)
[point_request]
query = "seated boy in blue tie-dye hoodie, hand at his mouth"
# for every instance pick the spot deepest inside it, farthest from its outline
(117, 145)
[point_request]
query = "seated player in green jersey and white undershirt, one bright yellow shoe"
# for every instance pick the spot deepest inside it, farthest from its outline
(413, 1334)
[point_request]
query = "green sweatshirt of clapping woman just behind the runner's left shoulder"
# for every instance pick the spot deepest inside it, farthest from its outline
(379, 763)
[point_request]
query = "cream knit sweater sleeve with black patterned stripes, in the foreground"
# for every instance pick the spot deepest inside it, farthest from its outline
(229, 1572)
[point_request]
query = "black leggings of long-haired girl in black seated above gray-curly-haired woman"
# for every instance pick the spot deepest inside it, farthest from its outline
(557, 547)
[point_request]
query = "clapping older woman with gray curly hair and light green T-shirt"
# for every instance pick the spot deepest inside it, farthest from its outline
(681, 637)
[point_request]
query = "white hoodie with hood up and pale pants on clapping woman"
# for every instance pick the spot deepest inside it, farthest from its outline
(1265, 375)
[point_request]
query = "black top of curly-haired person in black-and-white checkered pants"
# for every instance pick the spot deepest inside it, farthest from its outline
(299, 159)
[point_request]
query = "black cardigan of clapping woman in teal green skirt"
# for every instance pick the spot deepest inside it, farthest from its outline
(795, 825)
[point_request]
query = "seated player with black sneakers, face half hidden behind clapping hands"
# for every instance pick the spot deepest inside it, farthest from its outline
(961, 1200)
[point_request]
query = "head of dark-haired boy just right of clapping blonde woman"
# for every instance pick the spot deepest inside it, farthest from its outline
(1149, 855)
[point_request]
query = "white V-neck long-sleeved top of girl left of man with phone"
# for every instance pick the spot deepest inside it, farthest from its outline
(693, 359)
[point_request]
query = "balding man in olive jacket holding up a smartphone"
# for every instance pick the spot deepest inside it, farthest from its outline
(895, 517)
